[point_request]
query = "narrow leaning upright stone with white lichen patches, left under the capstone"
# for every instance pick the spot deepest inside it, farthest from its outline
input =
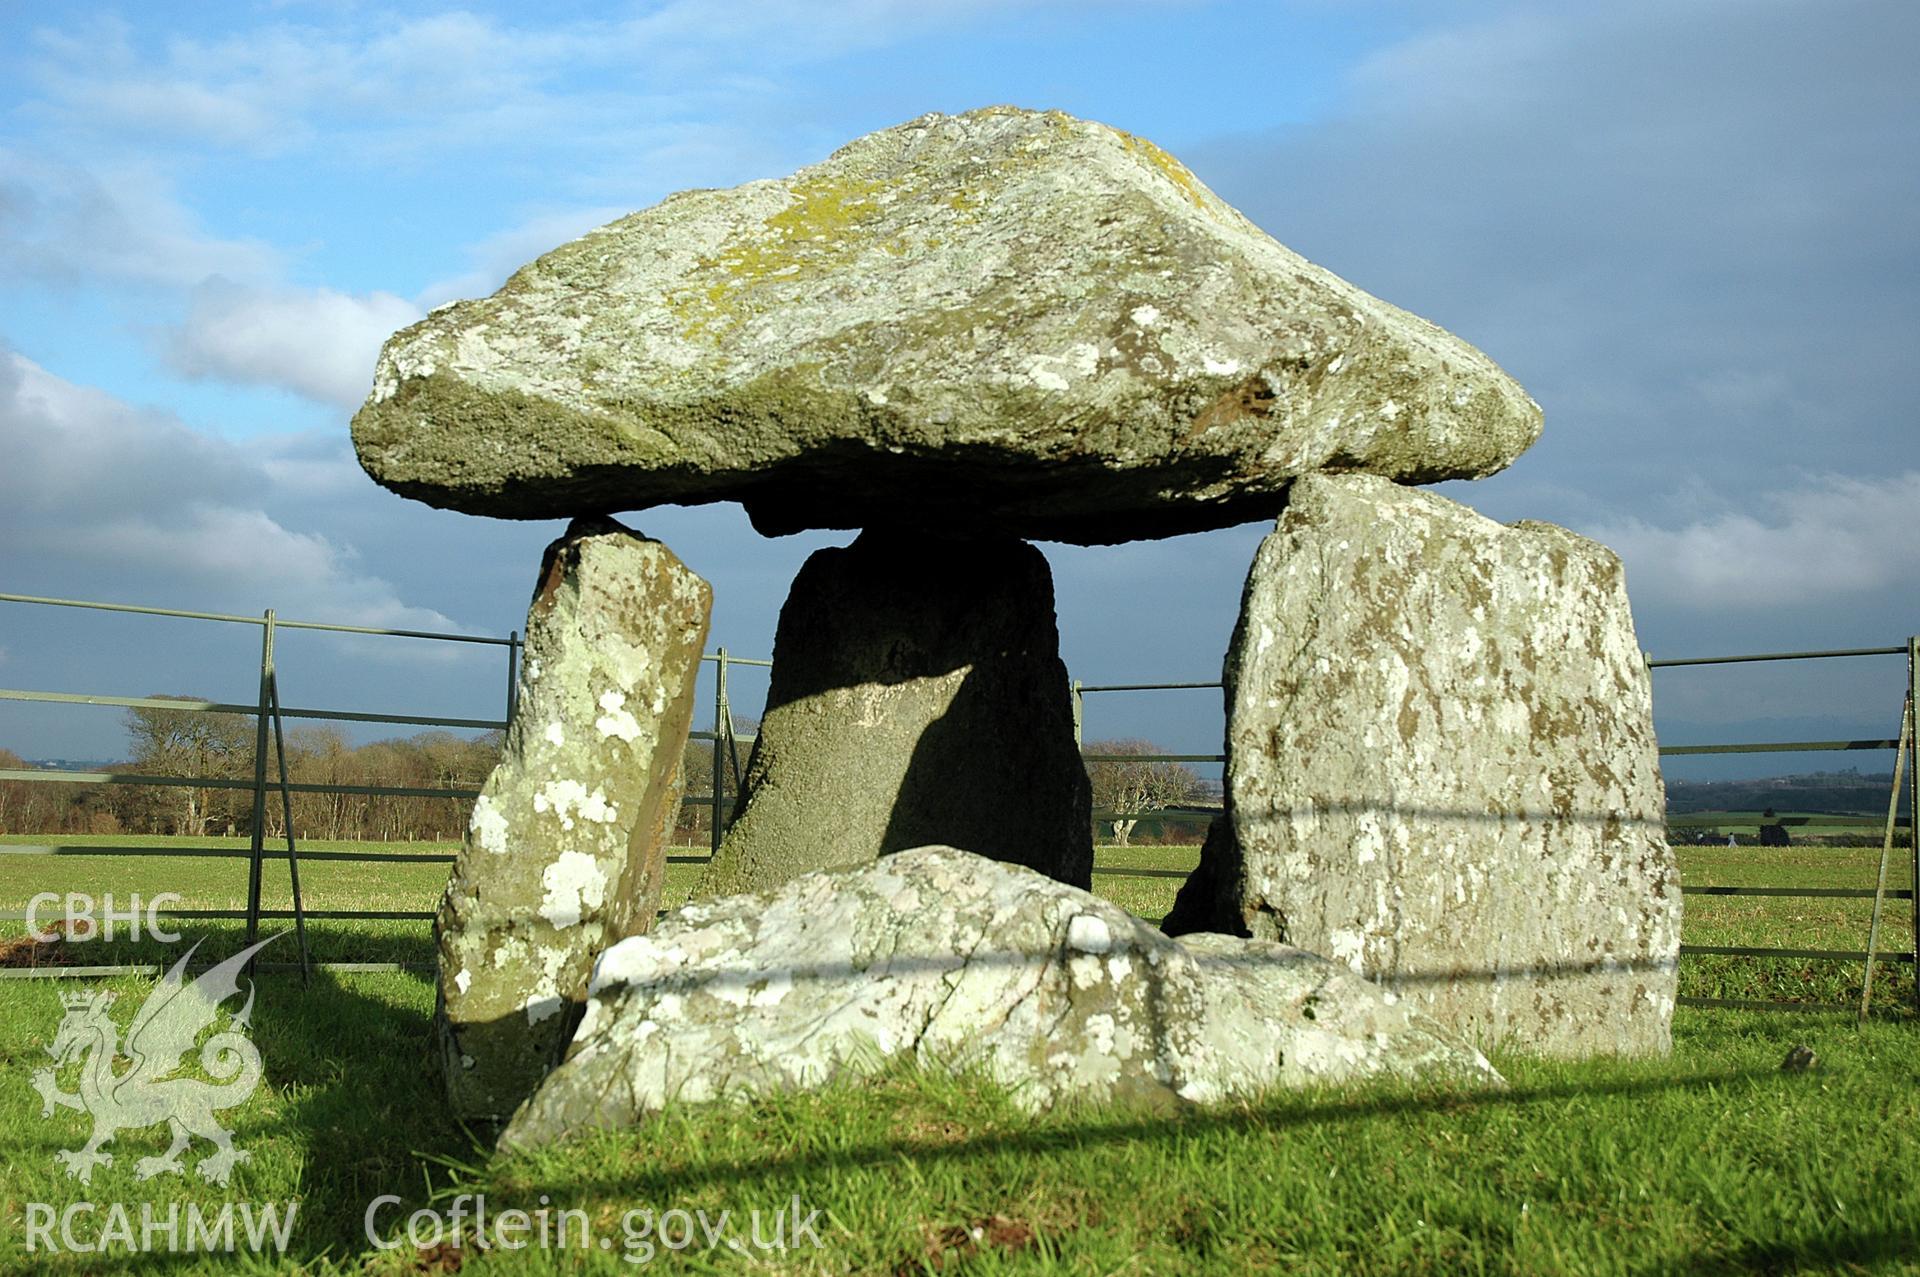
(567, 846)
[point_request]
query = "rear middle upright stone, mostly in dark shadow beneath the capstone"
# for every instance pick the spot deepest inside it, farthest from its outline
(917, 698)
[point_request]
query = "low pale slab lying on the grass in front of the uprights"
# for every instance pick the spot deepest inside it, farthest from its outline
(965, 963)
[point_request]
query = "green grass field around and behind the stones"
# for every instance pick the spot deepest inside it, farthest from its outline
(1712, 1161)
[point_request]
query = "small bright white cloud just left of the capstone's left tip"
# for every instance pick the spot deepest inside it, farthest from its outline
(318, 343)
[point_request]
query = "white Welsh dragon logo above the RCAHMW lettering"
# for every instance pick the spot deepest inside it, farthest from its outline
(145, 1094)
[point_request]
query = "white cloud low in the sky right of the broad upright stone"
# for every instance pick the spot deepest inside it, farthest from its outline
(1825, 541)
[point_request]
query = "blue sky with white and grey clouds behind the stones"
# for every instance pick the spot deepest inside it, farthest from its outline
(1687, 228)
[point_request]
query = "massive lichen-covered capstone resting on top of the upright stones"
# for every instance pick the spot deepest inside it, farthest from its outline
(1007, 320)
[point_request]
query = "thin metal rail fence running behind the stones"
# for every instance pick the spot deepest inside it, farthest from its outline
(727, 765)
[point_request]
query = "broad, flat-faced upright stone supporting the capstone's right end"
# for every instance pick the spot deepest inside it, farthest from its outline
(1443, 771)
